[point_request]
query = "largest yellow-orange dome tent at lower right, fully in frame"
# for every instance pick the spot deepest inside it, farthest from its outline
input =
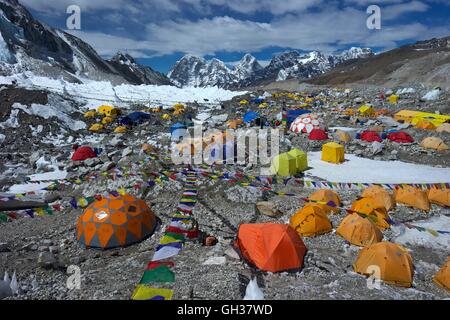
(394, 262)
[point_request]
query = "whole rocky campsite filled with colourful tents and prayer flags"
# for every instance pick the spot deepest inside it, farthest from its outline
(94, 206)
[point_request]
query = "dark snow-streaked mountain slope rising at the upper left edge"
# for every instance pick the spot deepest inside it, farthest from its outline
(29, 45)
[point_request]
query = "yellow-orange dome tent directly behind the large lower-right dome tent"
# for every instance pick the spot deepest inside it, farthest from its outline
(359, 231)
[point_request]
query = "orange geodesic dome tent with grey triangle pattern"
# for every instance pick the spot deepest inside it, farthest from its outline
(115, 222)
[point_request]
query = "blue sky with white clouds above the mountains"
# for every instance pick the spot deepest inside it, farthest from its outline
(159, 32)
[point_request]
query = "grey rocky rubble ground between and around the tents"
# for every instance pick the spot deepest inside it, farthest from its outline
(39, 250)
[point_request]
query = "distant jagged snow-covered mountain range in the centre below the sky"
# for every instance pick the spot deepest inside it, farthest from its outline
(195, 71)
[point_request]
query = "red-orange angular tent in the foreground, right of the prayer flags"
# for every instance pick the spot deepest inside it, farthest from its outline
(271, 247)
